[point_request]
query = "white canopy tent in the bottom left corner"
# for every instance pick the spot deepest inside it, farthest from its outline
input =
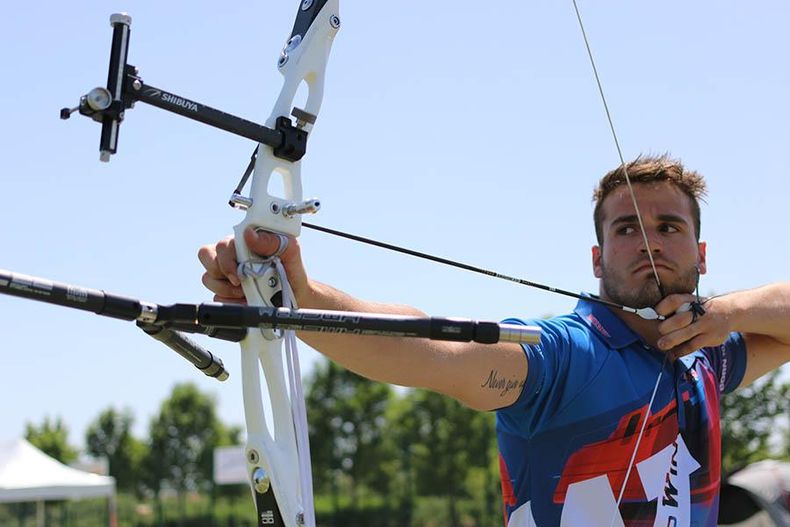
(29, 475)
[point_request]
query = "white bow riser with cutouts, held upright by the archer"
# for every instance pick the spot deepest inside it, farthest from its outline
(283, 494)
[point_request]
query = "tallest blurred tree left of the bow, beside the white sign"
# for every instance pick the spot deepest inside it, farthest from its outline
(181, 443)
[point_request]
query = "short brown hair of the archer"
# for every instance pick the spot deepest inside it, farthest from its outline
(650, 169)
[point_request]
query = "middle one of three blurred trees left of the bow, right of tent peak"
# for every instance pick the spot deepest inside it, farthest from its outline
(110, 435)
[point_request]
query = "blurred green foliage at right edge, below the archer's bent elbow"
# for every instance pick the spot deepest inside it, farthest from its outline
(750, 420)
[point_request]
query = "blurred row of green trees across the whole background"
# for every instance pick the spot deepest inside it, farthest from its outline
(381, 457)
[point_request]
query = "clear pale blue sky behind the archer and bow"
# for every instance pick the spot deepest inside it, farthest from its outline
(473, 131)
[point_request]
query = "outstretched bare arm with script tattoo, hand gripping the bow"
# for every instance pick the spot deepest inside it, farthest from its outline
(481, 376)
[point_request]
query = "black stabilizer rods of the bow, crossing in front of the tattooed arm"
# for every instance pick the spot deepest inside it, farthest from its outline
(229, 320)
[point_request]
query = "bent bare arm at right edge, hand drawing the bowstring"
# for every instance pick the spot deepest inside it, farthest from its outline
(762, 315)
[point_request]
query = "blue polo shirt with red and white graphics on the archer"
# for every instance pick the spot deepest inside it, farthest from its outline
(565, 445)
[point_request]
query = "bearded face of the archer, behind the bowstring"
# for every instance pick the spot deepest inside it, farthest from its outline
(622, 261)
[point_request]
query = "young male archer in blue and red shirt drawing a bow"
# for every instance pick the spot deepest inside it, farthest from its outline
(575, 447)
